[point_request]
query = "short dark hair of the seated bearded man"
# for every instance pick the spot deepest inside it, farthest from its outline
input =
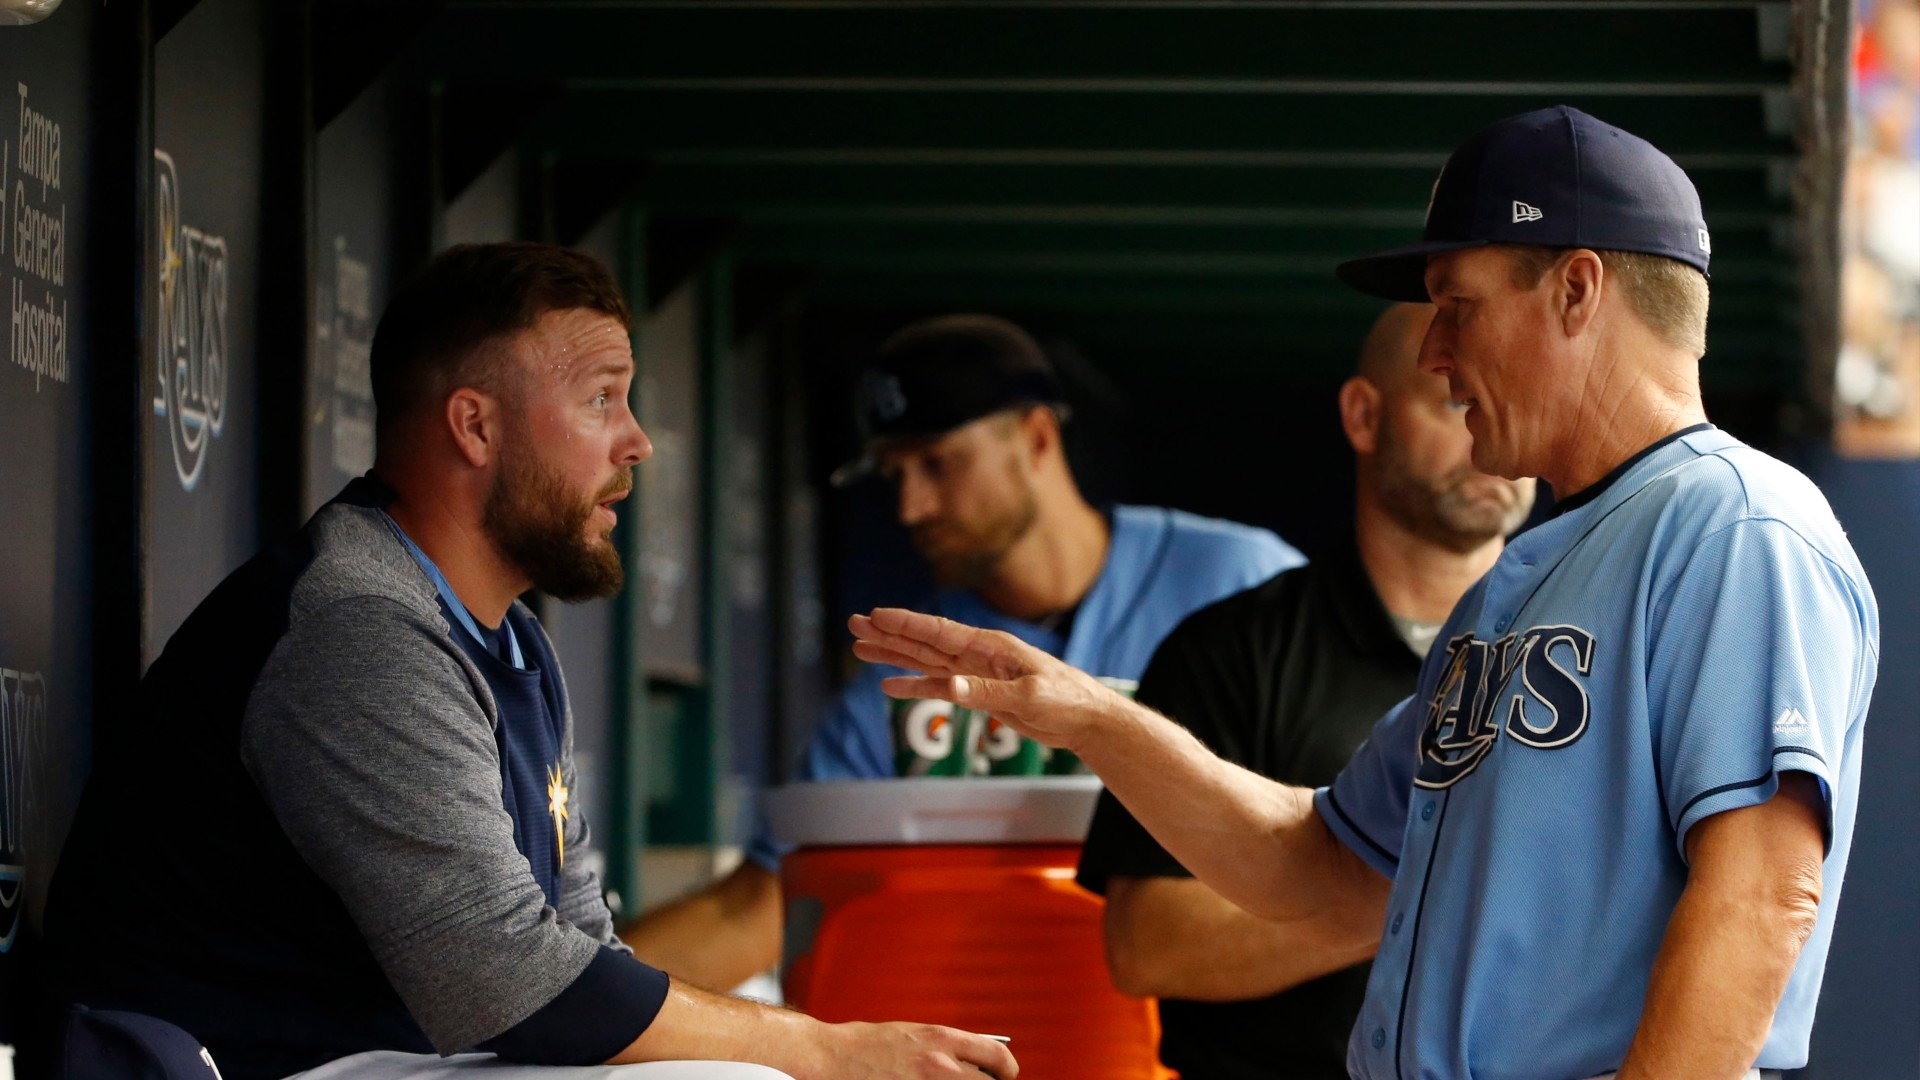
(435, 331)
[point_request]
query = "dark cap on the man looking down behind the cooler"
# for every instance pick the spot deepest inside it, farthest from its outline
(944, 374)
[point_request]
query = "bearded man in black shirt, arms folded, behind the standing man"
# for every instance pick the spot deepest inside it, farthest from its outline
(1289, 679)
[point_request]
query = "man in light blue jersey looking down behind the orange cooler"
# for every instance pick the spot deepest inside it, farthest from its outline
(963, 416)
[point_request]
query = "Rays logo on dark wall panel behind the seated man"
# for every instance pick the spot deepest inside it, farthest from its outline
(191, 328)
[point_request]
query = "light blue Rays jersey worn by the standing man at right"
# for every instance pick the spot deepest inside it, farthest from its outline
(1644, 660)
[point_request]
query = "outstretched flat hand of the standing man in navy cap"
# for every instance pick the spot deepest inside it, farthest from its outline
(992, 672)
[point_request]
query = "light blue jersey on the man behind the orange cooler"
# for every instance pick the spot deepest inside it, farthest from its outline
(1161, 568)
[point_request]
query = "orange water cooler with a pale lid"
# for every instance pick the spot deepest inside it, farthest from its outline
(953, 902)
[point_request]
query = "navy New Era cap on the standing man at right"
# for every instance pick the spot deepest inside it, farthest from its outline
(1554, 178)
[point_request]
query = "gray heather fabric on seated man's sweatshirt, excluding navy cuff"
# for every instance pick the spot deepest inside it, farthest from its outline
(372, 737)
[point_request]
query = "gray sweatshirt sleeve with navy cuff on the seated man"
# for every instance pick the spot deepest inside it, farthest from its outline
(368, 737)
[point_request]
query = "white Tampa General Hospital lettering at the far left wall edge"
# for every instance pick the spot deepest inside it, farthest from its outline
(34, 241)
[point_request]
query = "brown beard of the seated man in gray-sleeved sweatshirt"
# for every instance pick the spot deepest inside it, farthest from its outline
(542, 528)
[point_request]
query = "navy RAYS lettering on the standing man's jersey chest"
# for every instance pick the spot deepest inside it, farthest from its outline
(1527, 685)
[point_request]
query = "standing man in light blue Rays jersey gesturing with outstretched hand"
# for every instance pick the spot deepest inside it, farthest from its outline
(1608, 833)
